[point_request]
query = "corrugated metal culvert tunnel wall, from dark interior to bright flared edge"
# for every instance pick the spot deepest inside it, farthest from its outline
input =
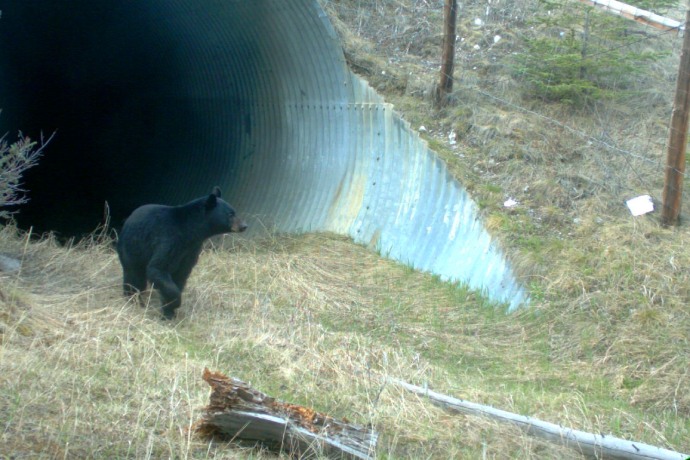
(254, 95)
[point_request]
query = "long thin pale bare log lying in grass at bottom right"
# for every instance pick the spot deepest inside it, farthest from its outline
(596, 445)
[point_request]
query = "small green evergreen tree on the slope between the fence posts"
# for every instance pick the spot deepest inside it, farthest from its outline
(579, 55)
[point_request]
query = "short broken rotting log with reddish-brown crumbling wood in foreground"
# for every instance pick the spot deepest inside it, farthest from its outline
(238, 412)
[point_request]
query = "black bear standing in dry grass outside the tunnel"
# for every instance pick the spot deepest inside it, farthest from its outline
(161, 244)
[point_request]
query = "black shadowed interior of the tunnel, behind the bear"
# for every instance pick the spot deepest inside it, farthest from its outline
(106, 79)
